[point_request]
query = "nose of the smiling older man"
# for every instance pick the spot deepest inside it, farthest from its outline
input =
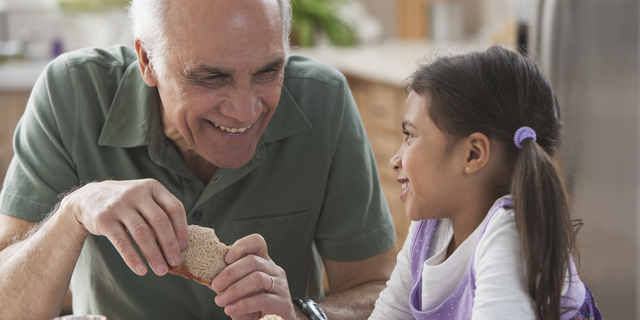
(243, 104)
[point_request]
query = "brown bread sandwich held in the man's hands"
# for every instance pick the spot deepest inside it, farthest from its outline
(203, 258)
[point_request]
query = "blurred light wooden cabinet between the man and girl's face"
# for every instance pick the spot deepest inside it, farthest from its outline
(381, 107)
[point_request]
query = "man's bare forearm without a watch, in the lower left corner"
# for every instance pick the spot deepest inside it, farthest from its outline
(35, 272)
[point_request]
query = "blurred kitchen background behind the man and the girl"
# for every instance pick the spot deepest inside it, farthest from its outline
(589, 48)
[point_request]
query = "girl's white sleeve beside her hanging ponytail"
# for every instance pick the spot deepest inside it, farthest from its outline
(501, 291)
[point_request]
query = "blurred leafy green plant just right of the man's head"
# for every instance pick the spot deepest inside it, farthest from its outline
(311, 15)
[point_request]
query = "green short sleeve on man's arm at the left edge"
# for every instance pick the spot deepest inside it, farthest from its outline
(42, 167)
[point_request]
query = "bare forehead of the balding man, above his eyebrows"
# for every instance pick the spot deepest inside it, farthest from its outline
(226, 34)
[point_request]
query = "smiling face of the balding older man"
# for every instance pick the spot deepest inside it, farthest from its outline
(224, 74)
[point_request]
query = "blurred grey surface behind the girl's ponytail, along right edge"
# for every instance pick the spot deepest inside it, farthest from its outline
(596, 77)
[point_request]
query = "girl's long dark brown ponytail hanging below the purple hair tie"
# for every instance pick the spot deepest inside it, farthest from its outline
(544, 223)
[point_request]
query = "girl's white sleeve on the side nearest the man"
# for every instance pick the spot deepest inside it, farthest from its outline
(393, 302)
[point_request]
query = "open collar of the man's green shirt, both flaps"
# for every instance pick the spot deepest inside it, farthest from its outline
(133, 118)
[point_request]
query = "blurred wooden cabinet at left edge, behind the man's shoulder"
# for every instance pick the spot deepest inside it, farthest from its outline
(12, 104)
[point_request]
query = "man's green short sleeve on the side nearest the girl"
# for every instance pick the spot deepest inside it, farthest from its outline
(355, 222)
